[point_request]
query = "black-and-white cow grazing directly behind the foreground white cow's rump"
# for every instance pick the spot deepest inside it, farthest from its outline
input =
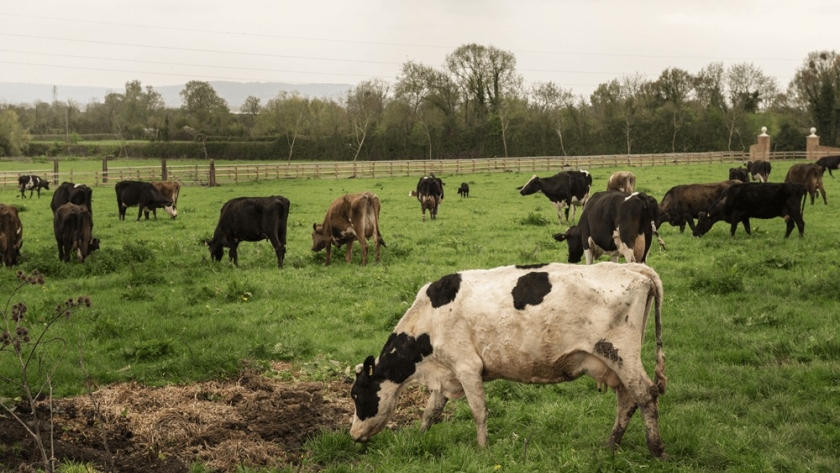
(613, 223)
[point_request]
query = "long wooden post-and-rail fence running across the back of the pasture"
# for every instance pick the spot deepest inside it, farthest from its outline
(213, 174)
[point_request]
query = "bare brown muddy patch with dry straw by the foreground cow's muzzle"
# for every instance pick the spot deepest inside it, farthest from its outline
(254, 421)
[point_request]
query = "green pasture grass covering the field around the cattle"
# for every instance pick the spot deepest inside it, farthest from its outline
(750, 322)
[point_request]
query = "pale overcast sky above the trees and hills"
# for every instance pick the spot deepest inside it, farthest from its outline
(577, 44)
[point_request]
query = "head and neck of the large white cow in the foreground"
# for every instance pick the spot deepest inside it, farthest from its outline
(379, 382)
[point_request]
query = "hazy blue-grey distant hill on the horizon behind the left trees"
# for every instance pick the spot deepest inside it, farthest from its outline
(234, 93)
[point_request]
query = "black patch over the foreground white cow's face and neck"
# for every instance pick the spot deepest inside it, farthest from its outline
(397, 362)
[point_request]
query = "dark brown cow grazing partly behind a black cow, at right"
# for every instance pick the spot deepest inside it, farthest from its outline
(683, 203)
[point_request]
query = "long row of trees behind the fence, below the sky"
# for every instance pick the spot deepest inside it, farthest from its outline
(474, 105)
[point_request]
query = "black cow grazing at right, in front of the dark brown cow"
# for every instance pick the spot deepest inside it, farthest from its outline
(763, 200)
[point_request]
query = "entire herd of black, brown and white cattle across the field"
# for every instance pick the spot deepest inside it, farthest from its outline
(479, 325)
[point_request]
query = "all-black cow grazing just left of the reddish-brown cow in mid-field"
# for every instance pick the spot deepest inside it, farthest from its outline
(250, 219)
